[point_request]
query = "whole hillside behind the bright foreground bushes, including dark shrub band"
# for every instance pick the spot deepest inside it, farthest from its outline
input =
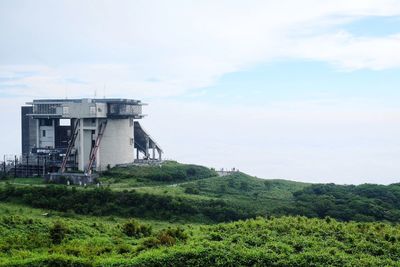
(186, 192)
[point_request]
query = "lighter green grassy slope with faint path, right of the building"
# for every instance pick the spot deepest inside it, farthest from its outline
(259, 195)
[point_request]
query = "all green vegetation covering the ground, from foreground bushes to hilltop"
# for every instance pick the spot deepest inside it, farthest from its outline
(170, 215)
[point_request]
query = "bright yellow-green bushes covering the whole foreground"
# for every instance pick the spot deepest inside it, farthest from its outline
(287, 241)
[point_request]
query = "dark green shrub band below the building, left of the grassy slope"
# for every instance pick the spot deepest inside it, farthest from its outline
(102, 202)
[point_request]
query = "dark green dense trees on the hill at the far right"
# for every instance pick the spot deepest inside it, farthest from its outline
(367, 202)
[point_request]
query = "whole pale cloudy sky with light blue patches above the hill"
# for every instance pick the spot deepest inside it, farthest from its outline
(306, 90)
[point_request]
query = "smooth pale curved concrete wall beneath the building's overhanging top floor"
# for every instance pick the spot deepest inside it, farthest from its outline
(117, 146)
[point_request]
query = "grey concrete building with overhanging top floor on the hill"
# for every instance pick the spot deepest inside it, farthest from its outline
(87, 134)
